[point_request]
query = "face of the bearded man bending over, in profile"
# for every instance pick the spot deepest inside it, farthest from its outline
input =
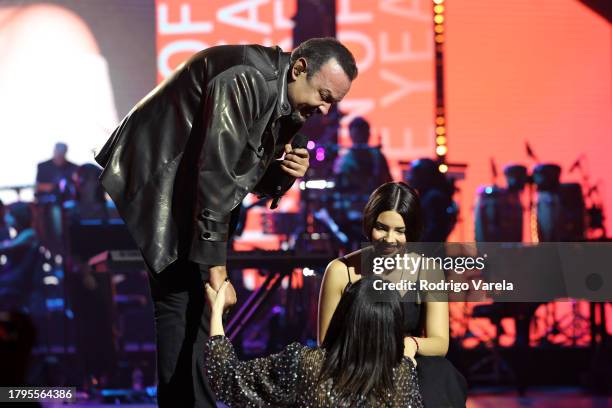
(316, 95)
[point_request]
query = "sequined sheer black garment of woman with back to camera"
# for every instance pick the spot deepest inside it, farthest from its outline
(289, 379)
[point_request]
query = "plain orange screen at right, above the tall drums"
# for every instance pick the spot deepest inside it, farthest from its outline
(525, 70)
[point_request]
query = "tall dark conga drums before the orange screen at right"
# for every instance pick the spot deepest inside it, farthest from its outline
(557, 212)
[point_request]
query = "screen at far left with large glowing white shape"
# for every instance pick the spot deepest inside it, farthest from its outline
(69, 70)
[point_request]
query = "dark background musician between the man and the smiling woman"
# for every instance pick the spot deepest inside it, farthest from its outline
(357, 173)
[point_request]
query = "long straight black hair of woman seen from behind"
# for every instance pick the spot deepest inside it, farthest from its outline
(364, 342)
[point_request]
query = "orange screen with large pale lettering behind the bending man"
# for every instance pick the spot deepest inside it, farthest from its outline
(392, 42)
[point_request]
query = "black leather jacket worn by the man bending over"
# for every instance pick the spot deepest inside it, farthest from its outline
(187, 154)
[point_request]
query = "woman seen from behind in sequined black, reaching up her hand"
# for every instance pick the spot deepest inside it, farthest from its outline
(349, 369)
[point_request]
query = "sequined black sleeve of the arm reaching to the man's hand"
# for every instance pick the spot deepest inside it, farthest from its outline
(267, 381)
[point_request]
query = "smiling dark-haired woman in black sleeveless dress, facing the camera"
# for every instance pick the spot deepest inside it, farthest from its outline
(392, 221)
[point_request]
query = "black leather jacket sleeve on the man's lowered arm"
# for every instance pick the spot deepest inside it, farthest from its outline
(233, 102)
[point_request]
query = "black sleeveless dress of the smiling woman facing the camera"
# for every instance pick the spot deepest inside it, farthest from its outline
(441, 384)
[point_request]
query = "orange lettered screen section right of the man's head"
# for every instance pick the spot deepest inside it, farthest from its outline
(393, 44)
